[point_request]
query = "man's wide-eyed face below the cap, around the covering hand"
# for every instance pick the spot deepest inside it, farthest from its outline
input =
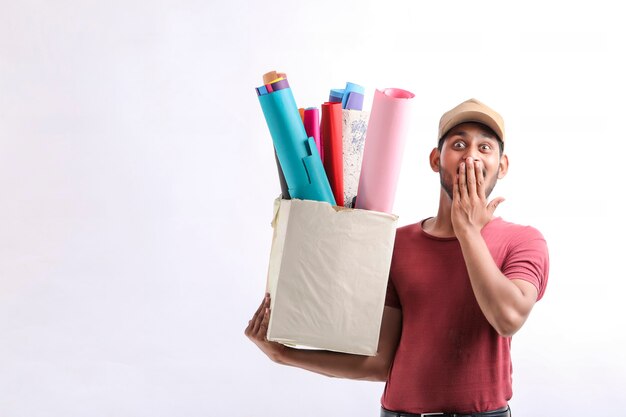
(469, 140)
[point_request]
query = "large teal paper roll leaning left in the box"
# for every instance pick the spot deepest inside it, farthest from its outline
(297, 154)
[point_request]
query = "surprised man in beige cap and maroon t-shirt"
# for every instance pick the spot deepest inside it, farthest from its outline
(460, 285)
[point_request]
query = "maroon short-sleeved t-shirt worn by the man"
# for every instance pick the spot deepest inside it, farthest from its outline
(449, 357)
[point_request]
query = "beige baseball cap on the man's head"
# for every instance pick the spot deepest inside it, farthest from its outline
(472, 110)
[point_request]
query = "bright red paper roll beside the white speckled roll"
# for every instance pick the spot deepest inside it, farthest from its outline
(333, 148)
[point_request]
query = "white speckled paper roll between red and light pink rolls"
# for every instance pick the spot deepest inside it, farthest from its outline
(354, 128)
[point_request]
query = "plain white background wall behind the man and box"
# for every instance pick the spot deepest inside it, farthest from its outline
(137, 179)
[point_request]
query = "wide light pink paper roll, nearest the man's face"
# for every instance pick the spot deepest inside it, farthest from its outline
(382, 155)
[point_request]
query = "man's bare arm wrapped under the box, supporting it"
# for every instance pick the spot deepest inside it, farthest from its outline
(333, 364)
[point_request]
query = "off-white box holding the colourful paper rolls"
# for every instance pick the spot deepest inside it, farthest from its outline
(328, 274)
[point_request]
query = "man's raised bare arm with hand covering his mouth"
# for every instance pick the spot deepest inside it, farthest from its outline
(505, 303)
